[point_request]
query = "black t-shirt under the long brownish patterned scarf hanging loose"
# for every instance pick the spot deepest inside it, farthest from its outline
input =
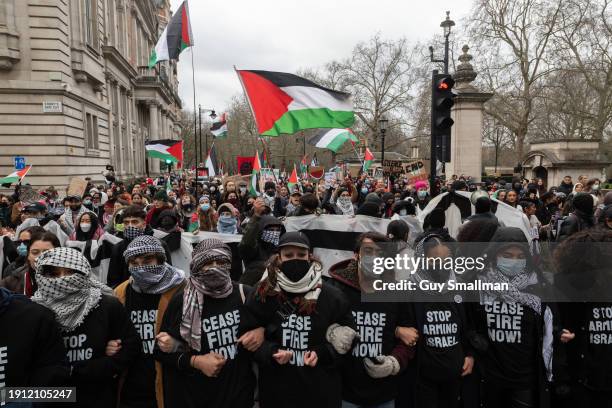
(235, 384)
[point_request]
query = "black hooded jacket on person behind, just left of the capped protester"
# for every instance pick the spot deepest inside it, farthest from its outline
(253, 251)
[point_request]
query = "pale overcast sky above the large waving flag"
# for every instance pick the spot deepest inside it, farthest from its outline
(286, 35)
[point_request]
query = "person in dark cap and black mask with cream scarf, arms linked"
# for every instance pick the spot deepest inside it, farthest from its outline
(298, 310)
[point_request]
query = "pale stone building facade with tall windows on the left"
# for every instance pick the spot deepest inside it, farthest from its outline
(76, 93)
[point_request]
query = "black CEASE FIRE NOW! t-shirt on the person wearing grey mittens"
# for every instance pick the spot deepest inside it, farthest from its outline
(376, 323)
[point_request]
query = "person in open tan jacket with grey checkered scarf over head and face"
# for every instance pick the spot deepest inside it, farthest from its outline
(146, 295)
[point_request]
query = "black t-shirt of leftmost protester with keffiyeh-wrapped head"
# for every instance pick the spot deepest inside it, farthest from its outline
(94, 374)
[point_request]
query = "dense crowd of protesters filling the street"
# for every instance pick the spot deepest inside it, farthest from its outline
(154, 335)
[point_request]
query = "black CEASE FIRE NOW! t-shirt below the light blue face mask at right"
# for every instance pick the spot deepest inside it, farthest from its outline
(512, 355)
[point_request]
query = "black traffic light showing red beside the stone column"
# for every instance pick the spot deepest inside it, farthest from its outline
(442, 100)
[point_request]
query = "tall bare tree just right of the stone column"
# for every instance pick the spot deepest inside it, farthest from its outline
(515, 35)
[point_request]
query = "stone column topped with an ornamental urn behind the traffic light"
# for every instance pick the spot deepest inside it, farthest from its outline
(466, 133)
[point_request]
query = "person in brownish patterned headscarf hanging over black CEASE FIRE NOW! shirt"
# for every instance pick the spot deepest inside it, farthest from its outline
(204, 361)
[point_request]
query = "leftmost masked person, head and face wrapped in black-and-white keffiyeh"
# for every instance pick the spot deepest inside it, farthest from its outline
(89, 317)
